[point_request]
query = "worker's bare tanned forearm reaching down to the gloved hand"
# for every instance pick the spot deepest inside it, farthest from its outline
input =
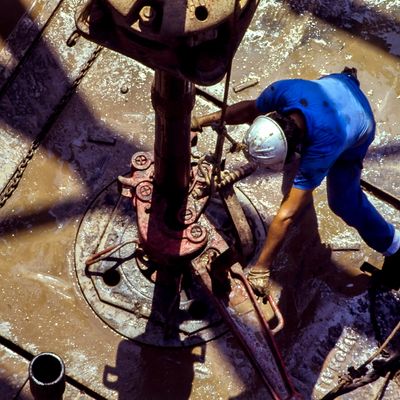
(292, 206)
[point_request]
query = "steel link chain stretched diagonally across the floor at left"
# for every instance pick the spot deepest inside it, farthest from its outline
(14, 181)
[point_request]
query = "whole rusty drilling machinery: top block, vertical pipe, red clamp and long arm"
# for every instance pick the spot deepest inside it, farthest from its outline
(187, 42)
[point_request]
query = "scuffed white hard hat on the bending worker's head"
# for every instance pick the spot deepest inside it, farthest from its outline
(266, 143)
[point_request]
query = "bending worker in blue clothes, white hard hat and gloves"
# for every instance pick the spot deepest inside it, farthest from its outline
(329, 122)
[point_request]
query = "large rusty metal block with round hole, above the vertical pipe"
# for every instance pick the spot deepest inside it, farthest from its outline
(195, 41)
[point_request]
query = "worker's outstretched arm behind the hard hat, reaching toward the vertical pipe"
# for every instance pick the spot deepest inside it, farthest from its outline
(238, 113)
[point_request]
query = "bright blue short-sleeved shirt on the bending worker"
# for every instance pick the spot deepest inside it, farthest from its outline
(337, 114)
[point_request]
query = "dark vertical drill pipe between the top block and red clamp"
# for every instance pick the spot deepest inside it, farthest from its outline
(173, 100)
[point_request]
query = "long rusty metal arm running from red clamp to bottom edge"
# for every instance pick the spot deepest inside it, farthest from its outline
(228, 289)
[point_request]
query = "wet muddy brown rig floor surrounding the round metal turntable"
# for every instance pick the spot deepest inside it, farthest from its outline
(317, 282)
